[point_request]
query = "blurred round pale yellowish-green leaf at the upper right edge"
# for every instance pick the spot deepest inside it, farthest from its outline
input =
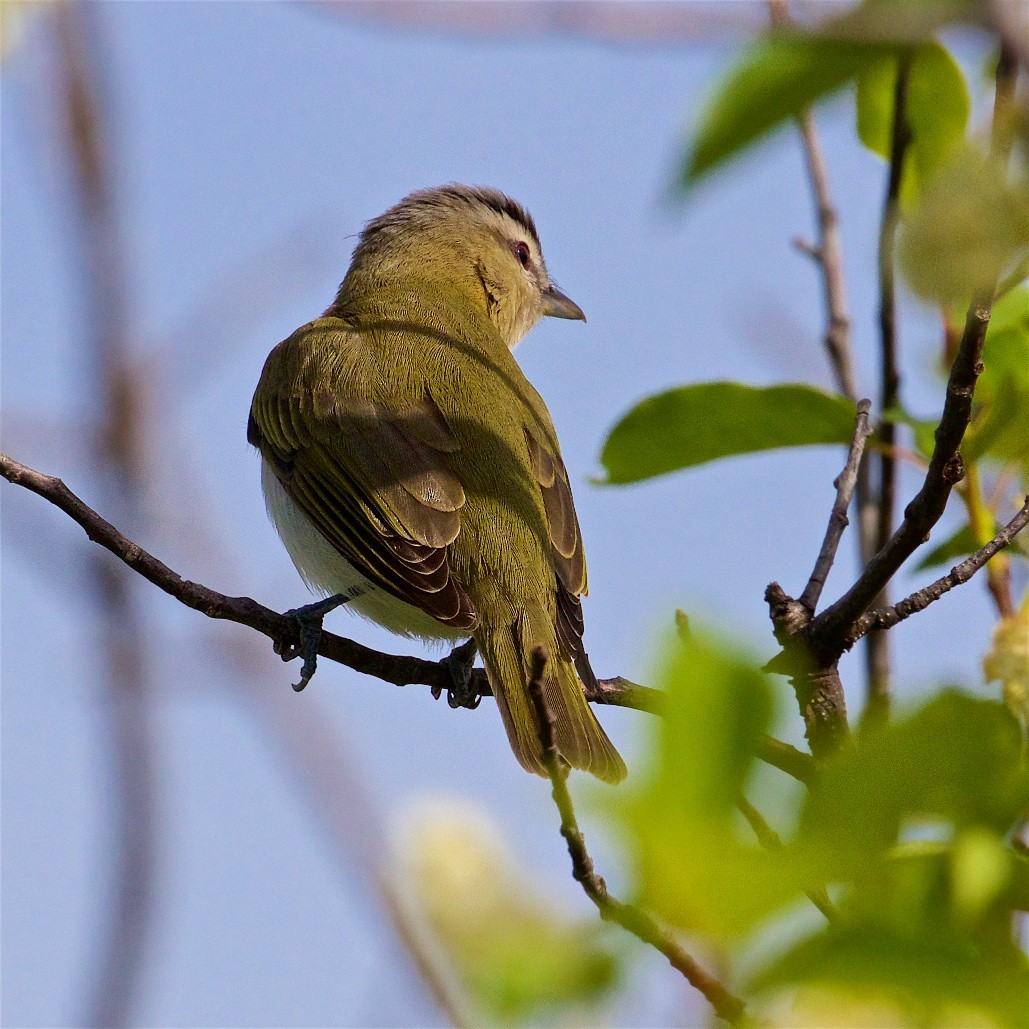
(970, 225)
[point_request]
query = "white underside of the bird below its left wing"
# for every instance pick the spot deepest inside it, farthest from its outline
(328, 573)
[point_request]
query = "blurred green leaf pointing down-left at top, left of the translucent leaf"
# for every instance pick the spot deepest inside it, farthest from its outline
(778, 80)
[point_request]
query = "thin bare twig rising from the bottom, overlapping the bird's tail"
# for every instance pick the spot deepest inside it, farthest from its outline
(635, 921)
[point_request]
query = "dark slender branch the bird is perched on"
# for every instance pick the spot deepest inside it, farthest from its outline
(401, 671)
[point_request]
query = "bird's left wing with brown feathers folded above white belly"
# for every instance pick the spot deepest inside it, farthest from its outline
(378, 485)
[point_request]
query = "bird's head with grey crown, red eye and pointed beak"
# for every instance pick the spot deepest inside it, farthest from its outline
(472, 239)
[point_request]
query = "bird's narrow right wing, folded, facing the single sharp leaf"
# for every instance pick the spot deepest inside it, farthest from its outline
(566, 546)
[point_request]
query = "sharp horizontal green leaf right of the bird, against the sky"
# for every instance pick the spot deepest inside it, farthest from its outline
(694, 424)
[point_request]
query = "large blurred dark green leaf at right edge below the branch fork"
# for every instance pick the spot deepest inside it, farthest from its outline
(959, 760)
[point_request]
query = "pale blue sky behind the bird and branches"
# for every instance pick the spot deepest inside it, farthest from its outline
(254, 140)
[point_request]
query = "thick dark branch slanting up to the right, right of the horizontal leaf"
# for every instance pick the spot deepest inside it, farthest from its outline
(831, 630)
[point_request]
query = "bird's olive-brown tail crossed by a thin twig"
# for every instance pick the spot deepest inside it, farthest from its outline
(507, 653)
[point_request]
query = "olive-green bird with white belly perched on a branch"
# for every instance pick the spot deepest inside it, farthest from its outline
(413, 472)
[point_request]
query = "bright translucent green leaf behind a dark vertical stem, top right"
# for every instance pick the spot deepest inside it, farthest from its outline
(937, 112)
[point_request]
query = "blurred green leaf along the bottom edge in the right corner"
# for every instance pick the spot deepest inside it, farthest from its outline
(935, 978)
